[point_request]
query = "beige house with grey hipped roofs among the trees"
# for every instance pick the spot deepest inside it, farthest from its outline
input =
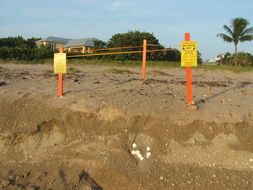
(83, 45)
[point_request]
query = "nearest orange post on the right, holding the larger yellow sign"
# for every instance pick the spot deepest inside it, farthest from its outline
(188, 77)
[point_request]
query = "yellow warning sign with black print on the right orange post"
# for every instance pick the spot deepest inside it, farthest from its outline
(189, 54)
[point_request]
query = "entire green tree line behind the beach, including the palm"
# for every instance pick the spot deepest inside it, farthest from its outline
(18, 48)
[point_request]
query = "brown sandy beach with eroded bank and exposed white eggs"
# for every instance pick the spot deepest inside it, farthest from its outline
(112, 130)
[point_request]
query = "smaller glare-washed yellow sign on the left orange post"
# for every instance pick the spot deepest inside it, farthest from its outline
(60, 63)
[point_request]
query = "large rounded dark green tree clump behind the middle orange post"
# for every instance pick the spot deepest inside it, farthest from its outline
(134, 38)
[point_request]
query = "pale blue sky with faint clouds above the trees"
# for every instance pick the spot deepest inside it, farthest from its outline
(167, 19)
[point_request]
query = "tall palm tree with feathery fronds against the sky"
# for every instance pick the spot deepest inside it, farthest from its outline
(237, 32)
